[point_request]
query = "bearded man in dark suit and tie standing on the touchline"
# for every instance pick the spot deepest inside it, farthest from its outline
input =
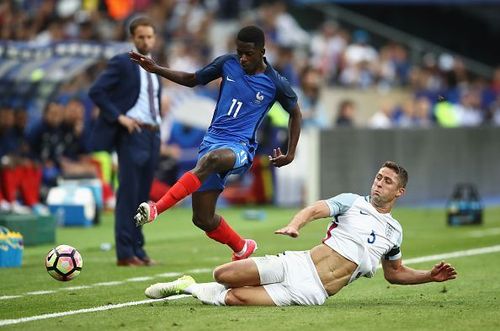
(128, 98)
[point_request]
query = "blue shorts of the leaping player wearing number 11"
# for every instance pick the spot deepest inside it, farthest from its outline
(244, 159)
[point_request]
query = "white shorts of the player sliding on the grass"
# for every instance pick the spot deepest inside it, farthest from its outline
(290, 278)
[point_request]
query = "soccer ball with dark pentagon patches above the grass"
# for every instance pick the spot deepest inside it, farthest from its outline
(63, 263)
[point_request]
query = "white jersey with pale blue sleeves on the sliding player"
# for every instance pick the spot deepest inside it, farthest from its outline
(361, 234)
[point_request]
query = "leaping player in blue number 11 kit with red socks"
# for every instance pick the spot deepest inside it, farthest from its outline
(249, 88)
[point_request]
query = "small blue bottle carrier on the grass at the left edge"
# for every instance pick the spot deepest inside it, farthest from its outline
(11, 248)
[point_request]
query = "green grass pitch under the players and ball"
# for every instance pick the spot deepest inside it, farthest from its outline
(471, 302)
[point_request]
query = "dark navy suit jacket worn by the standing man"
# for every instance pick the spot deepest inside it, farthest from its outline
(115, 91)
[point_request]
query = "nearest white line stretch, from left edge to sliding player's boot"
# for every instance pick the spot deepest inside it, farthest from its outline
(86, 310)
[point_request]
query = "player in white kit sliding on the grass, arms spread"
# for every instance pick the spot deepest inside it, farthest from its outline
(362, 233)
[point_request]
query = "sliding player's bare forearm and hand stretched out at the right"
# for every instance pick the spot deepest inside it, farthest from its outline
(396, 273)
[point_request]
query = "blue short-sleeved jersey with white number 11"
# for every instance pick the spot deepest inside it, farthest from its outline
(244, 99)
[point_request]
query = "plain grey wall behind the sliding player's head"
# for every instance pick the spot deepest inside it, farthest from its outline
(436, 159)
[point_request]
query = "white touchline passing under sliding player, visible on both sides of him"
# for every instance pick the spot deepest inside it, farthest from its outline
(468, 252)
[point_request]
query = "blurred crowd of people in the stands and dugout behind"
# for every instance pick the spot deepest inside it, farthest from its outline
(442, 91)
